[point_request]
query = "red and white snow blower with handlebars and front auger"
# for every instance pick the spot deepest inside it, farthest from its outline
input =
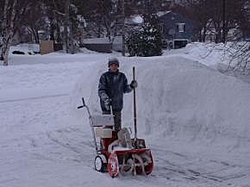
(116, 152)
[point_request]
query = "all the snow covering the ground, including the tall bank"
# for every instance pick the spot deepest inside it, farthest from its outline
(194, 119)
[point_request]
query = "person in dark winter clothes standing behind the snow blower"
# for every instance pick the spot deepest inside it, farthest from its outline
(112, 85)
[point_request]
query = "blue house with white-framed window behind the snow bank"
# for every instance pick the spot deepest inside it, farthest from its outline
(177, 30)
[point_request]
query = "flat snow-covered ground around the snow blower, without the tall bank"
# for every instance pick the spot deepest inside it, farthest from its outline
(44, 143)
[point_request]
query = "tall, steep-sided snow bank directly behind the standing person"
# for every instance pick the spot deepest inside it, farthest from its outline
(180, 99)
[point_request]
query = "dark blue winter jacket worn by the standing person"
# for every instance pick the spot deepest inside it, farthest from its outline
(112, 85)
